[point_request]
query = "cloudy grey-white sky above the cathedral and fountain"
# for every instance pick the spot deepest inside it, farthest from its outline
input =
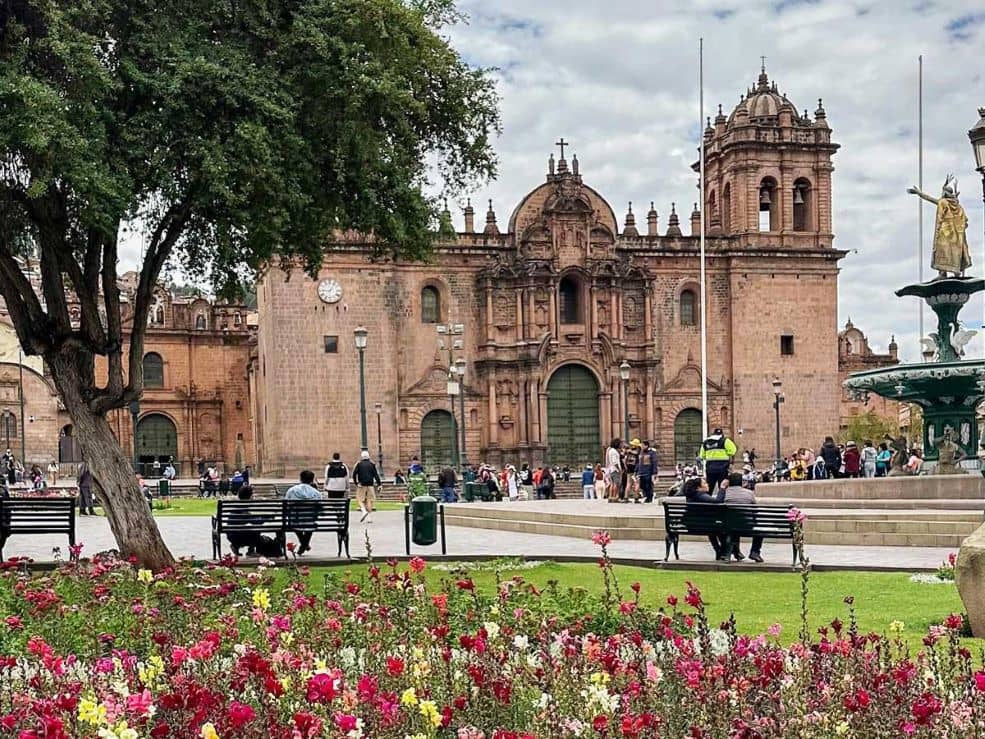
(619, 79)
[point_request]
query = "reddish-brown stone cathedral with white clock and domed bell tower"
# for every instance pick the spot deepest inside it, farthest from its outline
(565, 326)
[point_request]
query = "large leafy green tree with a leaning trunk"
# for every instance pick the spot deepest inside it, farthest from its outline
(235, 132)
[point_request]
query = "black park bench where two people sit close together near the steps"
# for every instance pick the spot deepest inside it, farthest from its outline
(726, 520)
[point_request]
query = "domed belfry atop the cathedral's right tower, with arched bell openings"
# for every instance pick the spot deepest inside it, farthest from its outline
(768, 172)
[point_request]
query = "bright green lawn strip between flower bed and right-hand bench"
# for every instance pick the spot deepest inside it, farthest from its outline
(758, 599)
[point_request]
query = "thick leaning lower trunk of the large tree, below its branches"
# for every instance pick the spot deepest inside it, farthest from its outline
(130, 519)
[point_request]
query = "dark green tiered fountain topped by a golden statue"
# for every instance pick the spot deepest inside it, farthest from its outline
(949, 388)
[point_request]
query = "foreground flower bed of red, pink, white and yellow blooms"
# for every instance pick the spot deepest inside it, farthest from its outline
(101, 649)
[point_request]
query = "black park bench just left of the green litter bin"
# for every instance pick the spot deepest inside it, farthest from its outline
(279, 517)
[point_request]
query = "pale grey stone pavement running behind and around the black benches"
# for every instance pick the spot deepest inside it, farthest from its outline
(191, 536)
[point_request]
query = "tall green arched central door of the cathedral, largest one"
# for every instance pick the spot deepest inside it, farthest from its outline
(573, 417)
